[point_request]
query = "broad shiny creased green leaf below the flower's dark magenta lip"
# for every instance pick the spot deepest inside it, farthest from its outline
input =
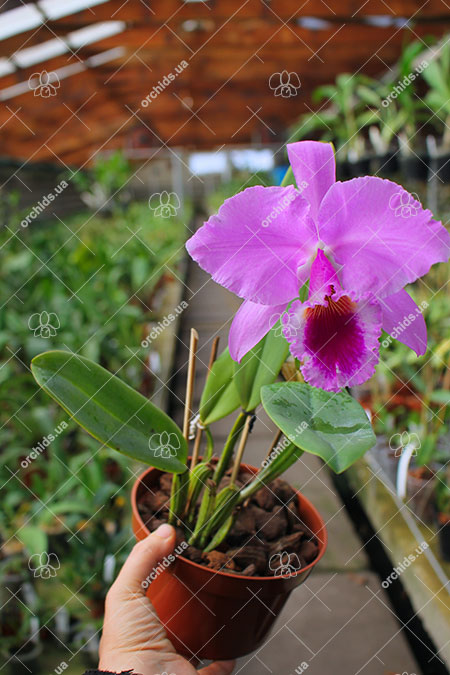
(332, 426)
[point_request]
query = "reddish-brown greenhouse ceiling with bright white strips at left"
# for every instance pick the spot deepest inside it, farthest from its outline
(82, 75)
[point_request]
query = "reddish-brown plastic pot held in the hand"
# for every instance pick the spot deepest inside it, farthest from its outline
(218, 615)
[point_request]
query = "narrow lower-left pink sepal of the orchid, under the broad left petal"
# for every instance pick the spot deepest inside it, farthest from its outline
(251, 323)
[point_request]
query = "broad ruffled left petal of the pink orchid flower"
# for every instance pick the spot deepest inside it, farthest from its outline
(256, 243)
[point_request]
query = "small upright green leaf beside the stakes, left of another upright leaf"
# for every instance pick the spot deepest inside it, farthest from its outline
(219, 397)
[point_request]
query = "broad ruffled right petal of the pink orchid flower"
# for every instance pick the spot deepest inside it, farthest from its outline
(380, 235)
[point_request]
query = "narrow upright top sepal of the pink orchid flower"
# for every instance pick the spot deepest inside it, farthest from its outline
(314, 169)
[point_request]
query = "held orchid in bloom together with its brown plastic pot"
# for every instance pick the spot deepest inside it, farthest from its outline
(316, 284)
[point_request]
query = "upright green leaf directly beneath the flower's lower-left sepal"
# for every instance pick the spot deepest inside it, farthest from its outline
(260, 366)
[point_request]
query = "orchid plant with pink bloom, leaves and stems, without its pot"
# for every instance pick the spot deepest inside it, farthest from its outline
(322, 269)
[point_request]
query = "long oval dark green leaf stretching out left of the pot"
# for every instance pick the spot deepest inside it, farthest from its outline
(110, 410)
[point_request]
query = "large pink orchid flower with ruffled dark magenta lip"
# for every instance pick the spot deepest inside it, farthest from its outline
(355, 244)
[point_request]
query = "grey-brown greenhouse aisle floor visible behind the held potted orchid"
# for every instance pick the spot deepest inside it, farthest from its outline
(339, 620)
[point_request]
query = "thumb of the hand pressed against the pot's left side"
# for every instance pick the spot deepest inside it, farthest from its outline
(135, 576)
